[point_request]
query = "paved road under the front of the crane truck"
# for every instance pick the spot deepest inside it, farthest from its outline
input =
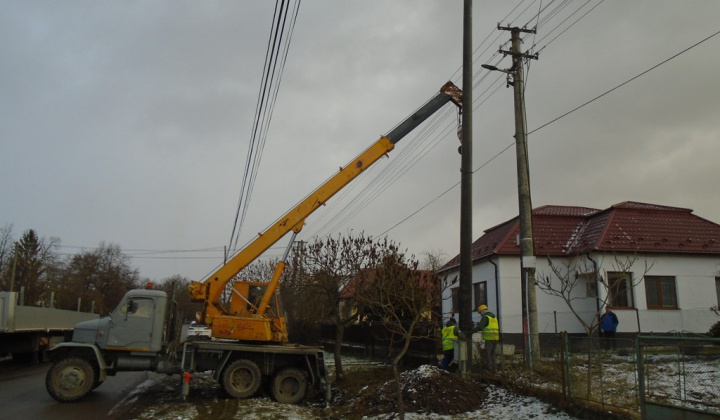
(23, 396)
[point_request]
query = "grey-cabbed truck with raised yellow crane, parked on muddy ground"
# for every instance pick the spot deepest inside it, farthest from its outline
(249, 344)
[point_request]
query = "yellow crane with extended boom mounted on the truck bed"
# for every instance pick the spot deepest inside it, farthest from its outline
(247, 320)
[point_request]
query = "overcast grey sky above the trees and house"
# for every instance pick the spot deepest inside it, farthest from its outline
(129, 122)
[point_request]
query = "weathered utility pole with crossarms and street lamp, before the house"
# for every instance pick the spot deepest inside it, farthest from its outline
(527, 247)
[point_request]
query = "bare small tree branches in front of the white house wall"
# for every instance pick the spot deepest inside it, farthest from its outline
(572, 276)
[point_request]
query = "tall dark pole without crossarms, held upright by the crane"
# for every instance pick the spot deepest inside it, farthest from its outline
(465, 287)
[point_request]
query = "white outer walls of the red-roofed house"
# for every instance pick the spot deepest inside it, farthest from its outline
(695, 285)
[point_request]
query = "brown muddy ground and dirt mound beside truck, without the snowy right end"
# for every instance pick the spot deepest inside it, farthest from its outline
(366, 391)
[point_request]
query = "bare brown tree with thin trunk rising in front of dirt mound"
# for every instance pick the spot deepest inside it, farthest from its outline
(404, 299)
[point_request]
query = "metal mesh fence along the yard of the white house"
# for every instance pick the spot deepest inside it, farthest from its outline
(653, 376)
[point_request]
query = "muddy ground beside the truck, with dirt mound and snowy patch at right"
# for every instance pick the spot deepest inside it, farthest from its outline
(368, 391)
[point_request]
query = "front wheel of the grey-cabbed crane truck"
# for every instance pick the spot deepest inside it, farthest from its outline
(70, 379)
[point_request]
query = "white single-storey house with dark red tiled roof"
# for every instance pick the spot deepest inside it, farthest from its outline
(662, 265)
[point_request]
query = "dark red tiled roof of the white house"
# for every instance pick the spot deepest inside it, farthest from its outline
(624, 227)
